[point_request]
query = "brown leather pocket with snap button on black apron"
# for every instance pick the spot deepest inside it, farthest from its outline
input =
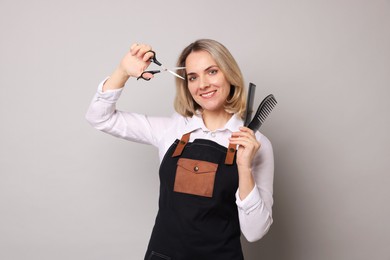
(195, 177)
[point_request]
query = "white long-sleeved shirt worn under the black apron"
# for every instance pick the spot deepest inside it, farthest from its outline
(255, 211)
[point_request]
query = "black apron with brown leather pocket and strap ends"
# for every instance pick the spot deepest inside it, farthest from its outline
(197, 217)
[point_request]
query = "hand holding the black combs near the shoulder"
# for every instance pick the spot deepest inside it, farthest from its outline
(247, 146)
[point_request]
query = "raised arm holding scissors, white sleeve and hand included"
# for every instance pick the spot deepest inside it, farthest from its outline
(103, 115)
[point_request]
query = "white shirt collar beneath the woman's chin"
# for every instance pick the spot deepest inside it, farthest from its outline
(196, 122)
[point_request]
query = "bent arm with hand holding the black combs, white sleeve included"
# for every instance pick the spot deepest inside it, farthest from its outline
(254, 196)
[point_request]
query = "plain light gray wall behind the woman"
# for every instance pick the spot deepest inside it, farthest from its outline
(68, 191)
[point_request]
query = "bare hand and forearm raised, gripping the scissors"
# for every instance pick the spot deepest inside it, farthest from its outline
(132, 64)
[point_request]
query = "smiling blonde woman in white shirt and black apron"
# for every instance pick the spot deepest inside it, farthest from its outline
(210, 191)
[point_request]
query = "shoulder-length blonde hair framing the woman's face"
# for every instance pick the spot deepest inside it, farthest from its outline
(184, 103)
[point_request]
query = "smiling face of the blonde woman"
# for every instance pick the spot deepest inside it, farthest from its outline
(206, 82)
